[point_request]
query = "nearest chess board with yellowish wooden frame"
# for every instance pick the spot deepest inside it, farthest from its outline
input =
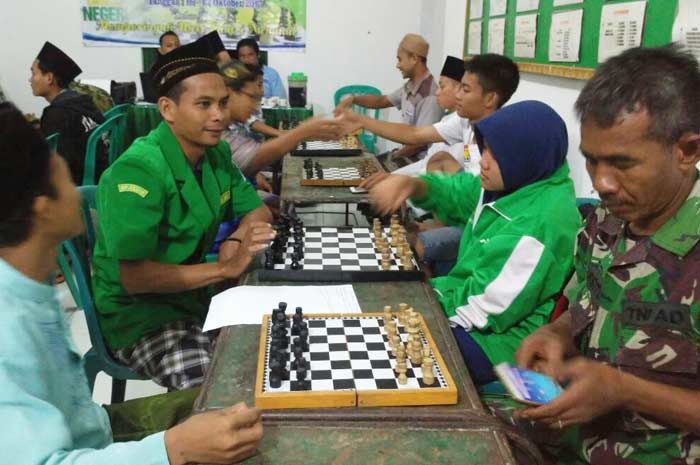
(351, 364)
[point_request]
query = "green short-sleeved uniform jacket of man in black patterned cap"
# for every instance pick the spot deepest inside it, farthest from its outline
(151, 206)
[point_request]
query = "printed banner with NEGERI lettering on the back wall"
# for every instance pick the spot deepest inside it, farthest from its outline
(275, 24)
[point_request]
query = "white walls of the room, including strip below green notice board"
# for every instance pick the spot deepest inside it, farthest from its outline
(348, 42)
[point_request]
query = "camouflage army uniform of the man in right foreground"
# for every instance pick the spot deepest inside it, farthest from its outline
(636, 308)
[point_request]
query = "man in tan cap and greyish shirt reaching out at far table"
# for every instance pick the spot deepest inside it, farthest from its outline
(415, 99)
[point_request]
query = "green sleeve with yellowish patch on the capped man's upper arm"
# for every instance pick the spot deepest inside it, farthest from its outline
(130, 205)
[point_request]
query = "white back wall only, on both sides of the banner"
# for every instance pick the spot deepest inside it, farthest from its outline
(348, 42)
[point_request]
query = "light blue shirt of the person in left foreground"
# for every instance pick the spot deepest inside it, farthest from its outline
(46, 408)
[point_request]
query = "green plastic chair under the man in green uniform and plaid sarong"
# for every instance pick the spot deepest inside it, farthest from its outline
(74, 262)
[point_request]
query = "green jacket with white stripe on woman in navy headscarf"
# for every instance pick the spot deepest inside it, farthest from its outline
(515, 256)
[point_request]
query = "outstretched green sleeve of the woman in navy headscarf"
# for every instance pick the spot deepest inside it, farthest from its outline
(452, 199)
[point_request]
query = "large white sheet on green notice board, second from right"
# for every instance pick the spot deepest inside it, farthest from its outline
(621, 26)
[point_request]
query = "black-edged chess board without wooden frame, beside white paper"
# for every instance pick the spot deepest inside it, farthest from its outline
(340, 254)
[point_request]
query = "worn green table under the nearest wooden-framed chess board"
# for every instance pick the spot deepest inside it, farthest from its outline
(461, 433)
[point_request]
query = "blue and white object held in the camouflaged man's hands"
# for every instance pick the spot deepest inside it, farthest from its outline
(527, 386)
